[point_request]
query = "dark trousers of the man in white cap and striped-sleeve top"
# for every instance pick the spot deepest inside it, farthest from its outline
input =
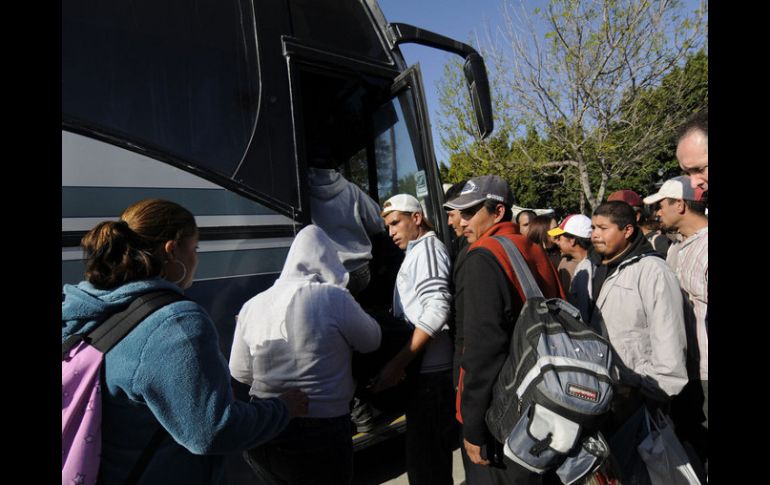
(431, 431)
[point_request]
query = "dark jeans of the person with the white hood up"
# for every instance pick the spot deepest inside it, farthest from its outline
(310, 451)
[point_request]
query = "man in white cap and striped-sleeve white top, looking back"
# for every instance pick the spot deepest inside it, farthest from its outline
(422, 298)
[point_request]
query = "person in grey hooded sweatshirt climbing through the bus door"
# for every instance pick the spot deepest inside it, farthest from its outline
(349, 217)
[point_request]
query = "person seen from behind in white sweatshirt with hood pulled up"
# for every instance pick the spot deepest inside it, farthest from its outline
(301, 333)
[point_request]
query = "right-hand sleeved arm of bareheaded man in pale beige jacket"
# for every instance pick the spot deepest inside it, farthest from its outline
(662, 299)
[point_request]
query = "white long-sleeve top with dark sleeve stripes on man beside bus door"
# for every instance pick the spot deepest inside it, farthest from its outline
(422, 297)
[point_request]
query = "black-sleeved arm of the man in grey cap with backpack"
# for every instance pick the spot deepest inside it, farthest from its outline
(487, 331)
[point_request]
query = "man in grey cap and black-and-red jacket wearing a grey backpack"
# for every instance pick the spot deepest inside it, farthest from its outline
(488, 302)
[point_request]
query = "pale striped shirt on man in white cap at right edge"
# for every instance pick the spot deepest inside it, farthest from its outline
(690, 262)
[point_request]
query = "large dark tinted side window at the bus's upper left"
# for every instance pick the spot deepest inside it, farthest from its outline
(177, 75)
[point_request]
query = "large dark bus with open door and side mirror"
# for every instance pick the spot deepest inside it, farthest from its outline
(219, 105)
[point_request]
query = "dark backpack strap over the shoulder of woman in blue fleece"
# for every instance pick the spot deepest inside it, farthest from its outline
(112, 331)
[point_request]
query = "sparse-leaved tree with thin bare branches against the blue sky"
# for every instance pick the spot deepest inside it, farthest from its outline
(586, 83)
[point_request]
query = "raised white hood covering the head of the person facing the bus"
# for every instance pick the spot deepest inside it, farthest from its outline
(313, 257)
